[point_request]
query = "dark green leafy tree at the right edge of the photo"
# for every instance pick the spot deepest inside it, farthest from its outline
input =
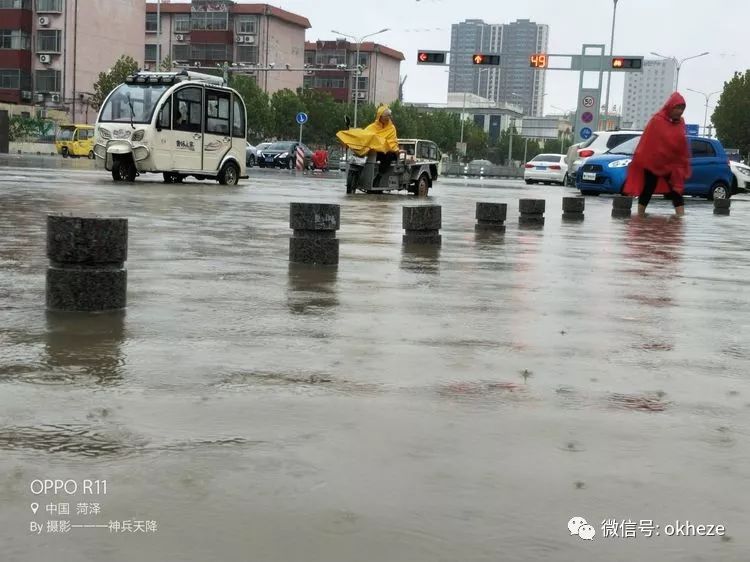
(732, 114)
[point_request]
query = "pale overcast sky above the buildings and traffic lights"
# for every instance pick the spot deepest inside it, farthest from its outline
(677, 28)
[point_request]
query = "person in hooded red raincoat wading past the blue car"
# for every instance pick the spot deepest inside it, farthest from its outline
(661, 162)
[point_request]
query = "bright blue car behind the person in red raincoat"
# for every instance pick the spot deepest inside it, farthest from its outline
(711, 175)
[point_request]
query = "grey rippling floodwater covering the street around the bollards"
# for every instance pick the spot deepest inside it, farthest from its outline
(459, 404)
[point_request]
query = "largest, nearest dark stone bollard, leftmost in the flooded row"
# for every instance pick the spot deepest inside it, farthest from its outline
(87, 263)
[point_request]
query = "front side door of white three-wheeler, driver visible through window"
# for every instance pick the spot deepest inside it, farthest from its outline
(187, 129)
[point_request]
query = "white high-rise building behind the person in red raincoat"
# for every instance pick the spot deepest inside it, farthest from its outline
(645, 92)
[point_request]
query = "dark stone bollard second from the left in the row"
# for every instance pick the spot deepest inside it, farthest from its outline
(314, 239)
